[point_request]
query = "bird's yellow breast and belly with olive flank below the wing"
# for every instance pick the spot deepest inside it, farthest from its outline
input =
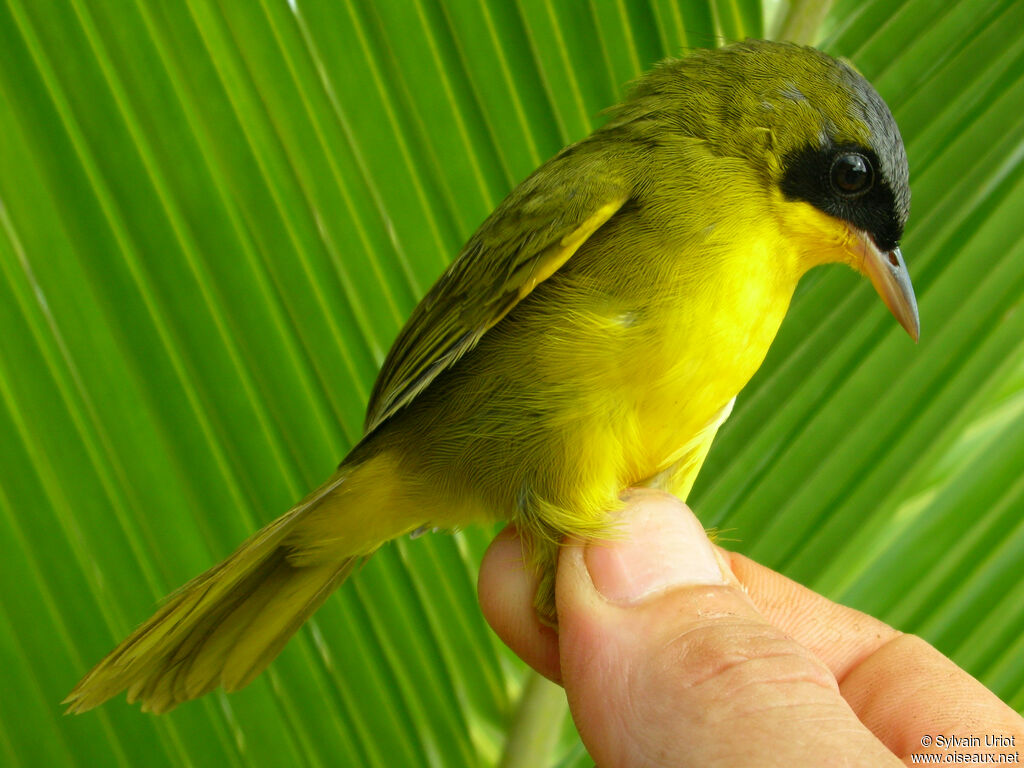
(603, 378)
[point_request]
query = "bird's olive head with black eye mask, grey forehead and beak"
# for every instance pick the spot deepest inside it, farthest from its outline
(822, 140)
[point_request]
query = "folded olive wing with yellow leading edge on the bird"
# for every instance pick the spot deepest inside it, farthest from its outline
(528, 238)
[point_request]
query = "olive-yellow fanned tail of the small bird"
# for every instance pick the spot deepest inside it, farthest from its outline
(227, 625)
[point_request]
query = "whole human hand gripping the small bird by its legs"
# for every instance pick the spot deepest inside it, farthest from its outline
(675, 653)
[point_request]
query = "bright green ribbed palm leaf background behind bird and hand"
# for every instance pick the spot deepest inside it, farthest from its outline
(216, 218)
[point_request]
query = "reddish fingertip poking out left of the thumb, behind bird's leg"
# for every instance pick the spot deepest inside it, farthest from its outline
(506, 589)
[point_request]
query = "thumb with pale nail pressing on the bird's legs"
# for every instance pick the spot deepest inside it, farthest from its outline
(666, 661)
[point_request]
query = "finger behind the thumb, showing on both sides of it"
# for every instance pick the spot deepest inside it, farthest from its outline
(891, 669)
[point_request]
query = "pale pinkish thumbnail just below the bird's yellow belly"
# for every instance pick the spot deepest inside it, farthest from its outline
(659, 545)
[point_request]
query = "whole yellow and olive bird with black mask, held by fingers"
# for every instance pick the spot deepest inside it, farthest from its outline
(590, 336)
